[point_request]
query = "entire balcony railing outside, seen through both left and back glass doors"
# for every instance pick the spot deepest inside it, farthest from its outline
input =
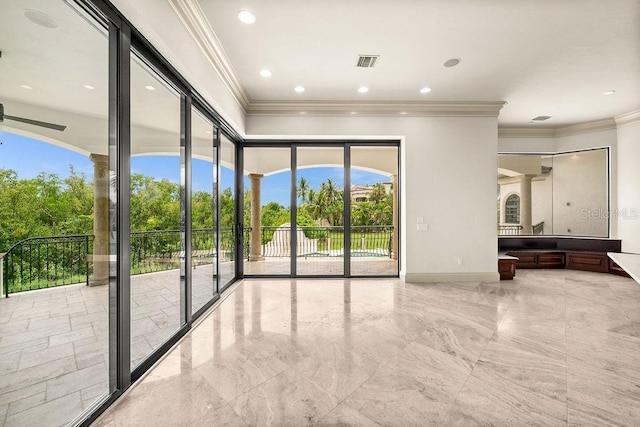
(45, 262)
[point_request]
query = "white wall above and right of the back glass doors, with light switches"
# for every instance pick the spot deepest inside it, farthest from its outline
(448, 177)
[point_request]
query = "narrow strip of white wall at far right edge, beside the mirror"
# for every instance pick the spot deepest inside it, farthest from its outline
(629, 187)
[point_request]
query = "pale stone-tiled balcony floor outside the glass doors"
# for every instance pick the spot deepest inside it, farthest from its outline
(54, 342)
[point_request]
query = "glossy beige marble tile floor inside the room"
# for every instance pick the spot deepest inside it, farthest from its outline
(552, 347)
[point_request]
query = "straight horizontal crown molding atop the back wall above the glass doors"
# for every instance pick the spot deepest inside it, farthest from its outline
(400, 109)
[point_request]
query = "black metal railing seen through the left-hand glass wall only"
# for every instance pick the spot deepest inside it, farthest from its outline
(46, 262)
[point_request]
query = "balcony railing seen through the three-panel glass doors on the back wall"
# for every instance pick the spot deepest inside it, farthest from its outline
(373, 241)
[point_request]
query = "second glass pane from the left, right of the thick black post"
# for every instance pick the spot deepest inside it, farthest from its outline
(156, 238)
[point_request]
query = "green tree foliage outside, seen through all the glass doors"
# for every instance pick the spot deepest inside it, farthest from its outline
(48, 205)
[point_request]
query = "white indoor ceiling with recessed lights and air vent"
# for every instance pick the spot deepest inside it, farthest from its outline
(544, 57)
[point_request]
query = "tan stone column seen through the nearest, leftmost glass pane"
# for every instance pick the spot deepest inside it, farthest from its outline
(100, 274)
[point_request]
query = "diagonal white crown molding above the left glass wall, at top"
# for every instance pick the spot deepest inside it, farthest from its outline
(197, 24)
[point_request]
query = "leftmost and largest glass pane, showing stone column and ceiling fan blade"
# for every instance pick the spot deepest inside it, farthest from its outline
(55, 213)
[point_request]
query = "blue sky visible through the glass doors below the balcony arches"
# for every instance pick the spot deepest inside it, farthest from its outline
(29, 157)
